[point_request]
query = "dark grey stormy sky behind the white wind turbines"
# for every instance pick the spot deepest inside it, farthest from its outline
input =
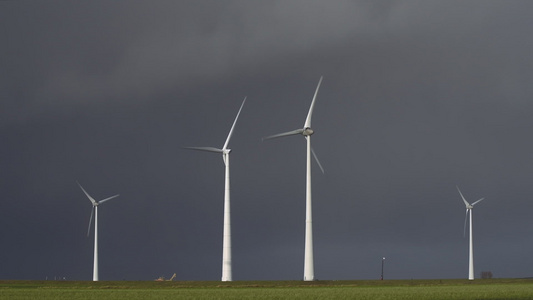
(417, 97)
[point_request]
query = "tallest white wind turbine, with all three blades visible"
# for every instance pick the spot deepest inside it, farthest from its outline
(306, 131)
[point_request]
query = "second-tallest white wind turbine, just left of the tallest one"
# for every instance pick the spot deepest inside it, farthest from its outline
(226, 242)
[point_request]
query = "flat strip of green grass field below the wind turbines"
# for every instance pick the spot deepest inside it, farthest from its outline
(388, 289)
